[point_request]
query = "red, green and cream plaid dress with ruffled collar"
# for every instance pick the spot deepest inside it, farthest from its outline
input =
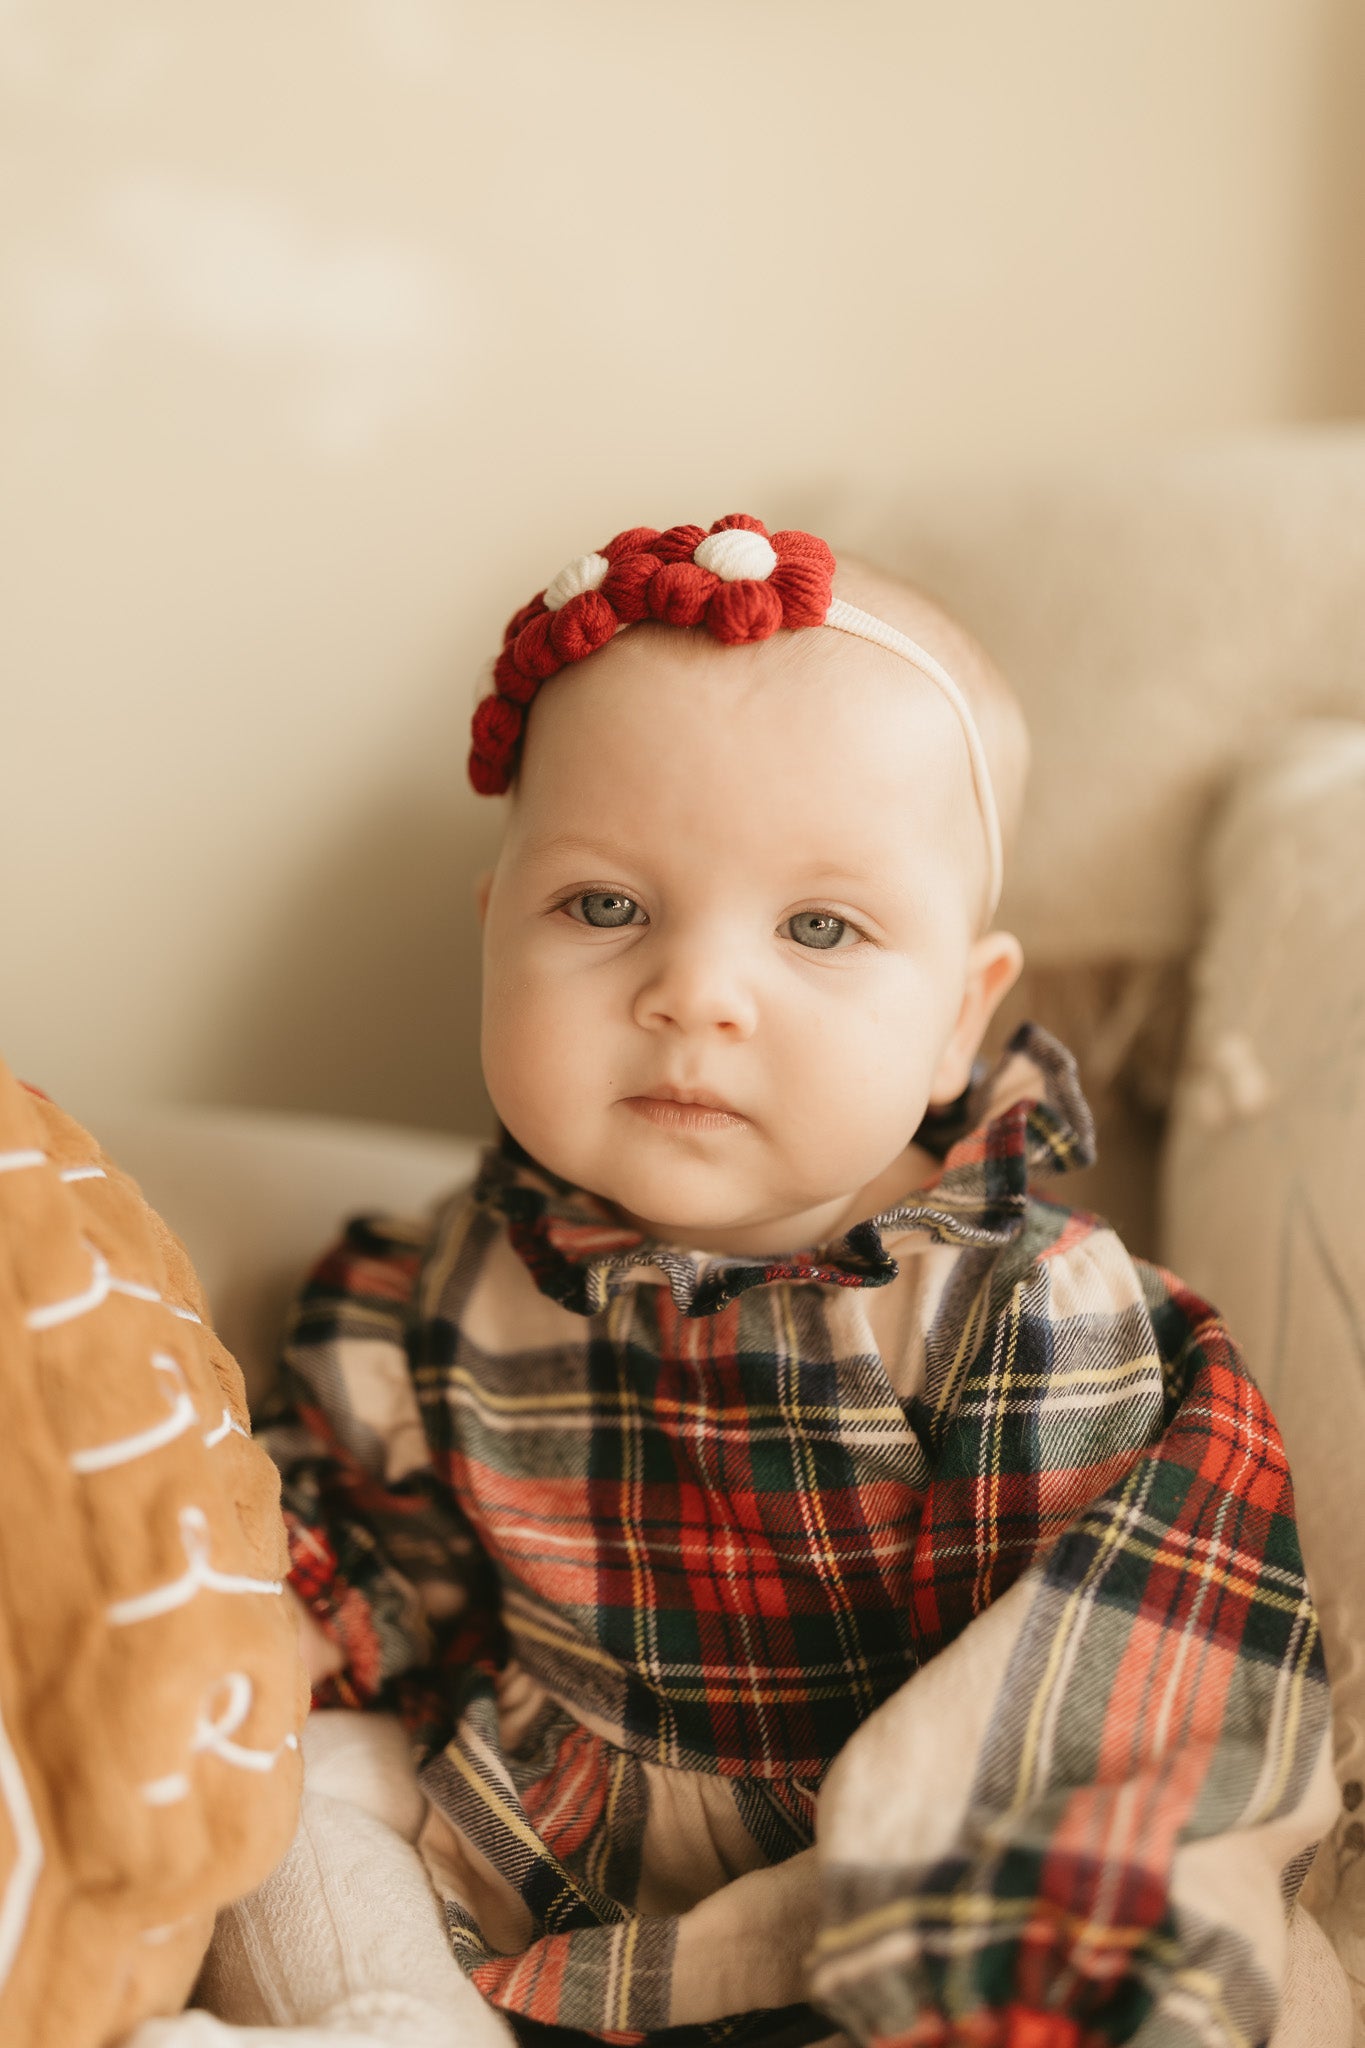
(912, 1633)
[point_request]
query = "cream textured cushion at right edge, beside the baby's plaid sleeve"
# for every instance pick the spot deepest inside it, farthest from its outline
(1266, 1179)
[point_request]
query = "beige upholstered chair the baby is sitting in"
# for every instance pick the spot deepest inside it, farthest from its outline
(1190, 644)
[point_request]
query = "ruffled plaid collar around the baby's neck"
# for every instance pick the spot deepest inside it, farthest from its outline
(1020, 1121)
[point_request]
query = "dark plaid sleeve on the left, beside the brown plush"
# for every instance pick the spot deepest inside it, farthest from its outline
(380, 1547)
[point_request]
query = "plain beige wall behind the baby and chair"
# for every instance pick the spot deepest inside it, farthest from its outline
(333, 329)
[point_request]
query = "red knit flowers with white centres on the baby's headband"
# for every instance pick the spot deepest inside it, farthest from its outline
(736, 581)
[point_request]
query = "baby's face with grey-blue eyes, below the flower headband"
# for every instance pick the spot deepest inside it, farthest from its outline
(748, 876)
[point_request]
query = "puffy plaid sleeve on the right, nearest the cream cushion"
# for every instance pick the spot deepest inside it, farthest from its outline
(1073, 1826)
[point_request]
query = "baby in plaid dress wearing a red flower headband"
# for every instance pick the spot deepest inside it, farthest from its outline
(828, 1584)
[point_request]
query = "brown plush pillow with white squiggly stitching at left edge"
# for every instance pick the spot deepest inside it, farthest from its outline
(130, 1803)
